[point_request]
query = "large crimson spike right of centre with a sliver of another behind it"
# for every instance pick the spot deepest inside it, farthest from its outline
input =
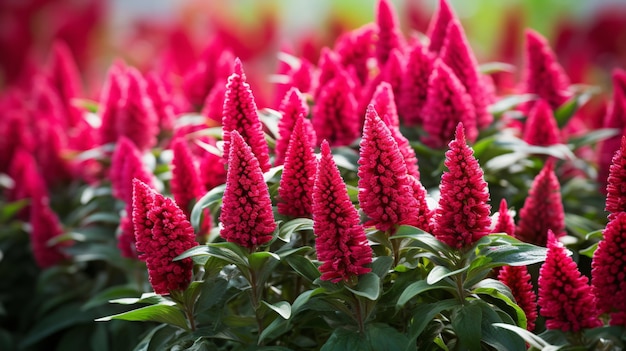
(385, 192)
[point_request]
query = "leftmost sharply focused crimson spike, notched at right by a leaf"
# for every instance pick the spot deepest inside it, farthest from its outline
(162, 232)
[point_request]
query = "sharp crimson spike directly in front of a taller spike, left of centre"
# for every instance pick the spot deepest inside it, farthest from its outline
(247, 216)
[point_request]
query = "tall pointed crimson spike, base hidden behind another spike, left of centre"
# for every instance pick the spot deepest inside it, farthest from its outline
(241, 115)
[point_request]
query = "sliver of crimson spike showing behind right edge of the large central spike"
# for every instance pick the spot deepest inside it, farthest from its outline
(384, 103)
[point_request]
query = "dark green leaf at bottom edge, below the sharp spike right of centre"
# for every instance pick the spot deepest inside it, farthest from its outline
(466, 322)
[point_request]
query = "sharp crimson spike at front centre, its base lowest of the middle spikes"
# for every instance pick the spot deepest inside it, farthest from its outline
(340, 239)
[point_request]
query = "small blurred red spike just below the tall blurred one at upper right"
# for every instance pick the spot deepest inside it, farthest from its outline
(541, 128)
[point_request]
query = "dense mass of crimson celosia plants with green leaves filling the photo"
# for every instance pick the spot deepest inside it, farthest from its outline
(394, 194)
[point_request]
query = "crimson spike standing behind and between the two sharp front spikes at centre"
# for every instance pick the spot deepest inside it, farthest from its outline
(296, 183)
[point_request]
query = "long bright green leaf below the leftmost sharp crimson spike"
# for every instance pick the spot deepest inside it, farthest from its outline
(154, 313)
